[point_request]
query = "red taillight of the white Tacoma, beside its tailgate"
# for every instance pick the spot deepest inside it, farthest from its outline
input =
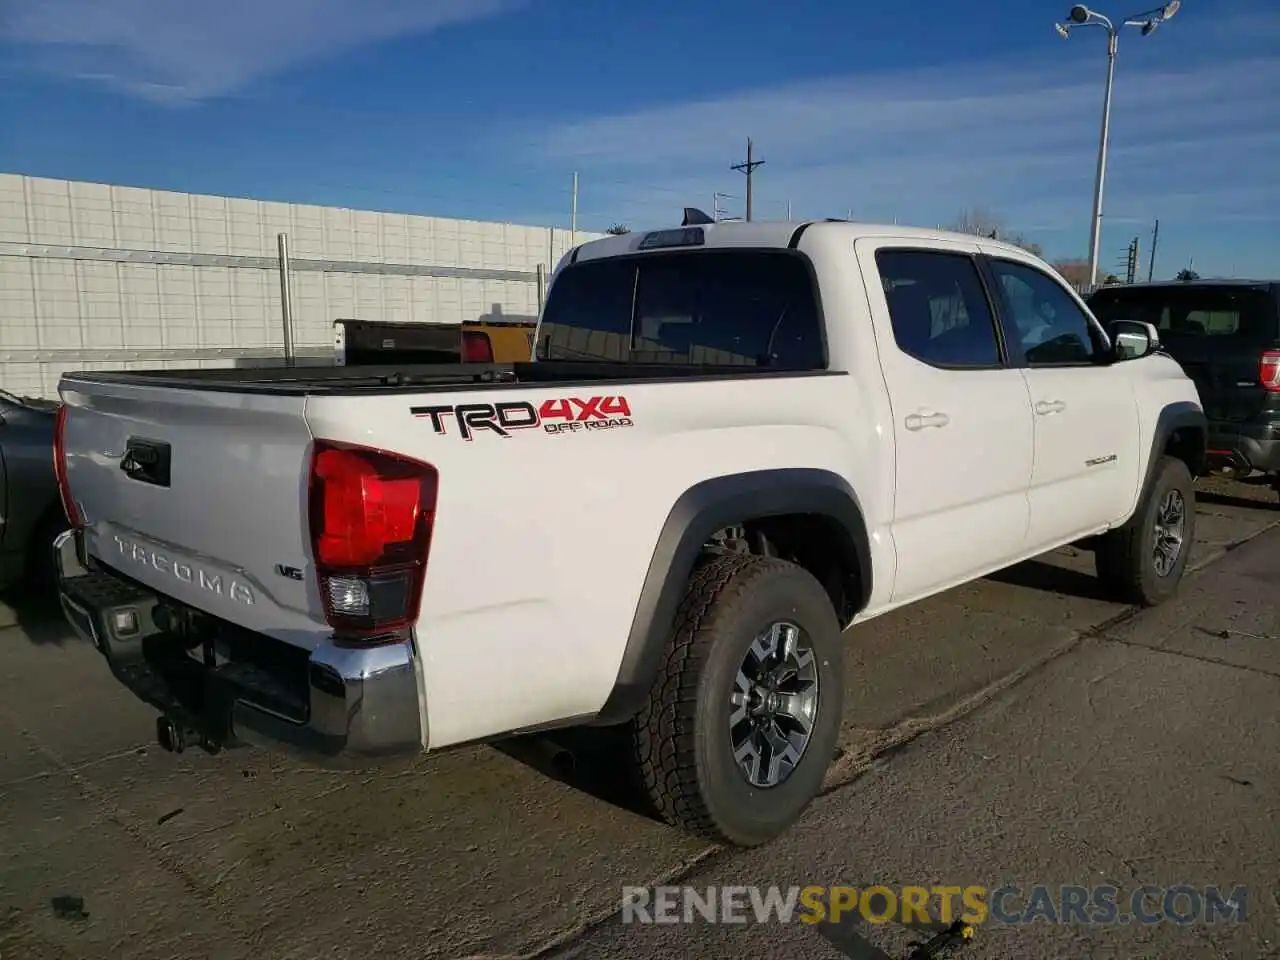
(372, 516)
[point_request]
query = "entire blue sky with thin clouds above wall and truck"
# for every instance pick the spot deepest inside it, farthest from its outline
(486, 108)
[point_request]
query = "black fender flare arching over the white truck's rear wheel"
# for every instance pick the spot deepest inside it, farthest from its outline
(697, 515)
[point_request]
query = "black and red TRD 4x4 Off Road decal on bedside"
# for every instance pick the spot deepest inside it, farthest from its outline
(555, 417)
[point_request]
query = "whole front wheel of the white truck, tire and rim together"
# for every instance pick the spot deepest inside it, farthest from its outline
(1145, 560)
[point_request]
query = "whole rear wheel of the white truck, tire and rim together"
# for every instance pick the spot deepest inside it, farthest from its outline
(744, 719)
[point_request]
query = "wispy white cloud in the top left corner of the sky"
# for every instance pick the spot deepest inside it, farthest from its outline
(190, 51)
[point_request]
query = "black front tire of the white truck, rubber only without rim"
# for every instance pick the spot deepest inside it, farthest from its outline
(1124, 557)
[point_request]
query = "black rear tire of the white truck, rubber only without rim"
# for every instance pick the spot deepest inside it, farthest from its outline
(682, 737)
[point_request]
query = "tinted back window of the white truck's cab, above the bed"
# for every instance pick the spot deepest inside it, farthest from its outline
(707, 308)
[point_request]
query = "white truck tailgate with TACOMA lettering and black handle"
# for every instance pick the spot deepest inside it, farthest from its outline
(199, 495)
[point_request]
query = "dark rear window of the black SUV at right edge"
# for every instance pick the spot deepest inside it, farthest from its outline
(1232, 314)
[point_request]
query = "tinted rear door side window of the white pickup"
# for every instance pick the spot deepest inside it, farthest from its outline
(939, 308)
